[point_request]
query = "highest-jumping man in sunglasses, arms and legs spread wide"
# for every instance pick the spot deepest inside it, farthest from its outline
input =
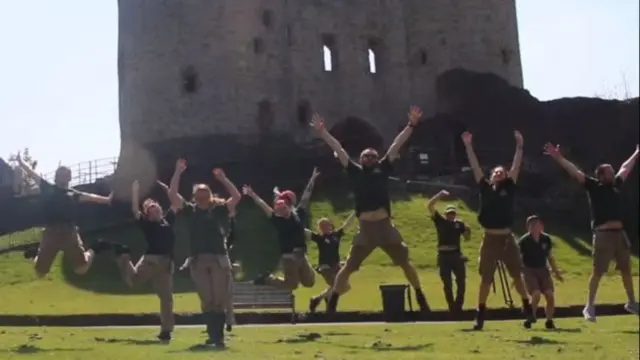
(369, 182)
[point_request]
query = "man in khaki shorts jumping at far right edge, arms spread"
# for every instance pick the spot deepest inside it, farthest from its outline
(610, 241)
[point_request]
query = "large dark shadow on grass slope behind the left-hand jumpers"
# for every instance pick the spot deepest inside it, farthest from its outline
(256, 248)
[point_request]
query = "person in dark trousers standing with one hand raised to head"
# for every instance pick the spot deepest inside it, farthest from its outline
(450, 258)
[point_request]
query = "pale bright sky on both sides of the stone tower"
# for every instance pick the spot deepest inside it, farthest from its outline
(59, 76)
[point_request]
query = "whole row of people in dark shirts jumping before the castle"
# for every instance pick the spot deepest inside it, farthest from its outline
(211, 229)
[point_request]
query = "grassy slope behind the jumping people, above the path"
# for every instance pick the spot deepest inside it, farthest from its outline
(103, 291)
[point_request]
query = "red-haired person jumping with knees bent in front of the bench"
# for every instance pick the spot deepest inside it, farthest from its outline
(288, 222)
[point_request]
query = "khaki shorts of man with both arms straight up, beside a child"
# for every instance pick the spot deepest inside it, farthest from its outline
(499, 247)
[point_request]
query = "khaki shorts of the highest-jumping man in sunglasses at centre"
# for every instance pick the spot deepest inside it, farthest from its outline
(377, 234)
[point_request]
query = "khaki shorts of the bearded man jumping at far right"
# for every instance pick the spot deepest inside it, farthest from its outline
(611, 245)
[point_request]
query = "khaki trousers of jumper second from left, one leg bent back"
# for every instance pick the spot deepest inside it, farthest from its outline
(158, 269)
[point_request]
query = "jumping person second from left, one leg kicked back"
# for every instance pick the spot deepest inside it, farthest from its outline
(157, 262)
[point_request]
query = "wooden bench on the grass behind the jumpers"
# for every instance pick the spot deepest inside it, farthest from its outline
(246, 295)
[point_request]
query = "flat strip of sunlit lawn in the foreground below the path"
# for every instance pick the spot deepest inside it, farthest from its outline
(612, 338)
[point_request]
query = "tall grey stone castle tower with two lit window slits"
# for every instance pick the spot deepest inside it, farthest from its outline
(250, 69)
